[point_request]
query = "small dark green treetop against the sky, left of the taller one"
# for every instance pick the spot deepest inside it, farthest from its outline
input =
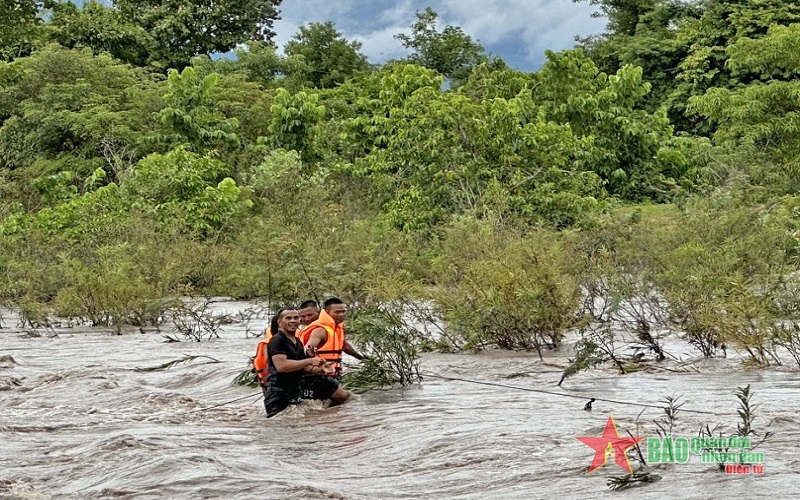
(331, 58)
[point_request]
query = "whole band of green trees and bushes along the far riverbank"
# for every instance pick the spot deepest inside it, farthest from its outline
(642, 184)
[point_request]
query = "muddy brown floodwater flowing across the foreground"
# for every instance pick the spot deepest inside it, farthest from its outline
(78, 421)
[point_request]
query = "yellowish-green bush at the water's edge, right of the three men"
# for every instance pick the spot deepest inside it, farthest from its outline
(494, 287)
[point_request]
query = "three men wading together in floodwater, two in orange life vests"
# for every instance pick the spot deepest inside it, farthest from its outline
(300, 356)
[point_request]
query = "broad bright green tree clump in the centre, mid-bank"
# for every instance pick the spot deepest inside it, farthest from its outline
(431, 154)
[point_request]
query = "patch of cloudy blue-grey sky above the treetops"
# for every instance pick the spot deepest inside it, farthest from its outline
(519, 31)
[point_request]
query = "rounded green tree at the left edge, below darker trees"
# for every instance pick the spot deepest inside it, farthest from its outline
(67, 110)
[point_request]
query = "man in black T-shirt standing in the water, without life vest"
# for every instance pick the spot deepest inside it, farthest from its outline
(288, 362)
